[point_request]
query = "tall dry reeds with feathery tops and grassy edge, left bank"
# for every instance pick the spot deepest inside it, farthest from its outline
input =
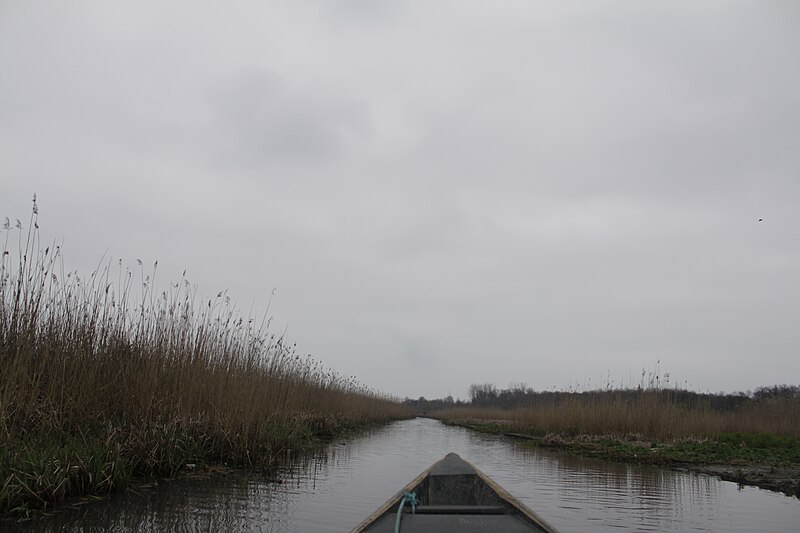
(99, 381)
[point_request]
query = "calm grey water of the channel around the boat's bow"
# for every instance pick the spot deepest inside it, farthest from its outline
(336, 489)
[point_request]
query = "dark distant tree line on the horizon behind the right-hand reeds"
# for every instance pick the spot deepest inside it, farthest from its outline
(519, 395)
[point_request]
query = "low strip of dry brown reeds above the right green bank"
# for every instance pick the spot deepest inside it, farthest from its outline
(652, 414)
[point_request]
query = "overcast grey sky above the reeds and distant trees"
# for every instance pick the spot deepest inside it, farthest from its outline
(442, 192)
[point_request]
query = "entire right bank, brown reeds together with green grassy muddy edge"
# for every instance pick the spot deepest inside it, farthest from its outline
(756, 442)
